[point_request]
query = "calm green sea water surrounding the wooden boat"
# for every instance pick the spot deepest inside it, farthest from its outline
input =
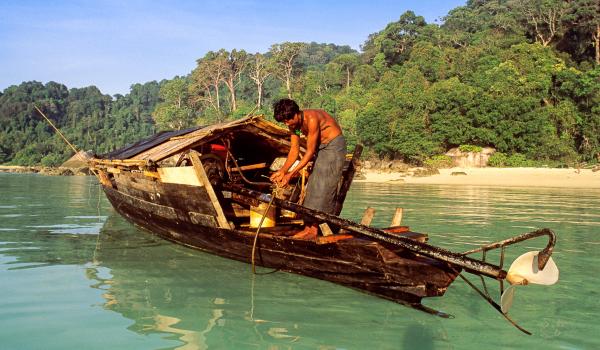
(75, 275)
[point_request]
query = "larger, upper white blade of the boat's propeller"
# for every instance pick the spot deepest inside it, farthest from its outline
(524, 270)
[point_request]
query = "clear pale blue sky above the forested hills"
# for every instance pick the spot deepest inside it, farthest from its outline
(113, 44)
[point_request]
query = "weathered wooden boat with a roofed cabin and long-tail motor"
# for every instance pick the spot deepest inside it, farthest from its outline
(208, 188)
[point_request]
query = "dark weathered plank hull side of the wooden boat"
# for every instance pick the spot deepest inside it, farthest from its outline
(183, 214)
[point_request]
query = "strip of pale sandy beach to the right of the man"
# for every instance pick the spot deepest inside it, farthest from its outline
(510, 177)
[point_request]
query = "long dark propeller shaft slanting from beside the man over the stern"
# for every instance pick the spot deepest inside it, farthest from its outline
(469, 264)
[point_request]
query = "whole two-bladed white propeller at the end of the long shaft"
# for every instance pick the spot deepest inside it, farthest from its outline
(525, 270)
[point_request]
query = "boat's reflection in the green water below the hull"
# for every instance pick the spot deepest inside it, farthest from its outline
(203, 301)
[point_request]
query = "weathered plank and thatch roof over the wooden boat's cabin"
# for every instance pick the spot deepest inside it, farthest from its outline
(166, 144)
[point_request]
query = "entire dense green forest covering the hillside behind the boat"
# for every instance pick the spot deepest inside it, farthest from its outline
(520, 76)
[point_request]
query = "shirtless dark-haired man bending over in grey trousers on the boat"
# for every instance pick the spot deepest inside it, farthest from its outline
(325, 142)
